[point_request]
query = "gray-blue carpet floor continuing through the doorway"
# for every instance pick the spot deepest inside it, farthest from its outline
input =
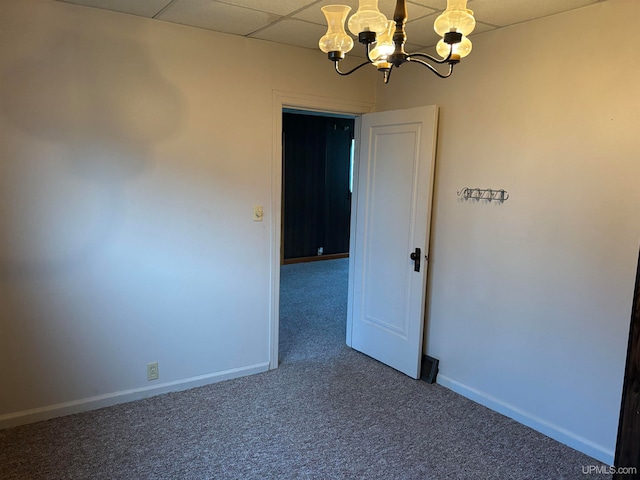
(328, 412)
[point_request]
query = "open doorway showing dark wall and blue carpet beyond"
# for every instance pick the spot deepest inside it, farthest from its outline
(317, 185)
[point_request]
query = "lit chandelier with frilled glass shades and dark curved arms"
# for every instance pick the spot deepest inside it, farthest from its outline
(384, 39)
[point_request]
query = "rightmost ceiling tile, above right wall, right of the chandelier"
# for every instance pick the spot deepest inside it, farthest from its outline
(507, 12)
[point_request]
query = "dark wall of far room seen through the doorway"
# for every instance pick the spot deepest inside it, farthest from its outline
(317, 183)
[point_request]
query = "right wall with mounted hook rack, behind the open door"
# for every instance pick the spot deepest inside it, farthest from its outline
(530, 301)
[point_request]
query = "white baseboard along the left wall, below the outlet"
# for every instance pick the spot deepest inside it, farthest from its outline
(115, 398)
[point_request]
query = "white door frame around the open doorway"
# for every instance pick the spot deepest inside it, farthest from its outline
(305, 102)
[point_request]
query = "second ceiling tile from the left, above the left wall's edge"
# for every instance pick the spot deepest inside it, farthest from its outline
(217, 16)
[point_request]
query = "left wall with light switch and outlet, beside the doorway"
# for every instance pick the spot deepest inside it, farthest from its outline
(130, 161)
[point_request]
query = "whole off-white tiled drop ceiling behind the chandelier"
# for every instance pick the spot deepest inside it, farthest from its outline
(301, 22)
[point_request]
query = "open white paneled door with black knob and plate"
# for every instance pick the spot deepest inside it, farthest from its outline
(390, 222)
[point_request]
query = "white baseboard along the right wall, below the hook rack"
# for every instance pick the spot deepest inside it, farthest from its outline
(549, 429)
